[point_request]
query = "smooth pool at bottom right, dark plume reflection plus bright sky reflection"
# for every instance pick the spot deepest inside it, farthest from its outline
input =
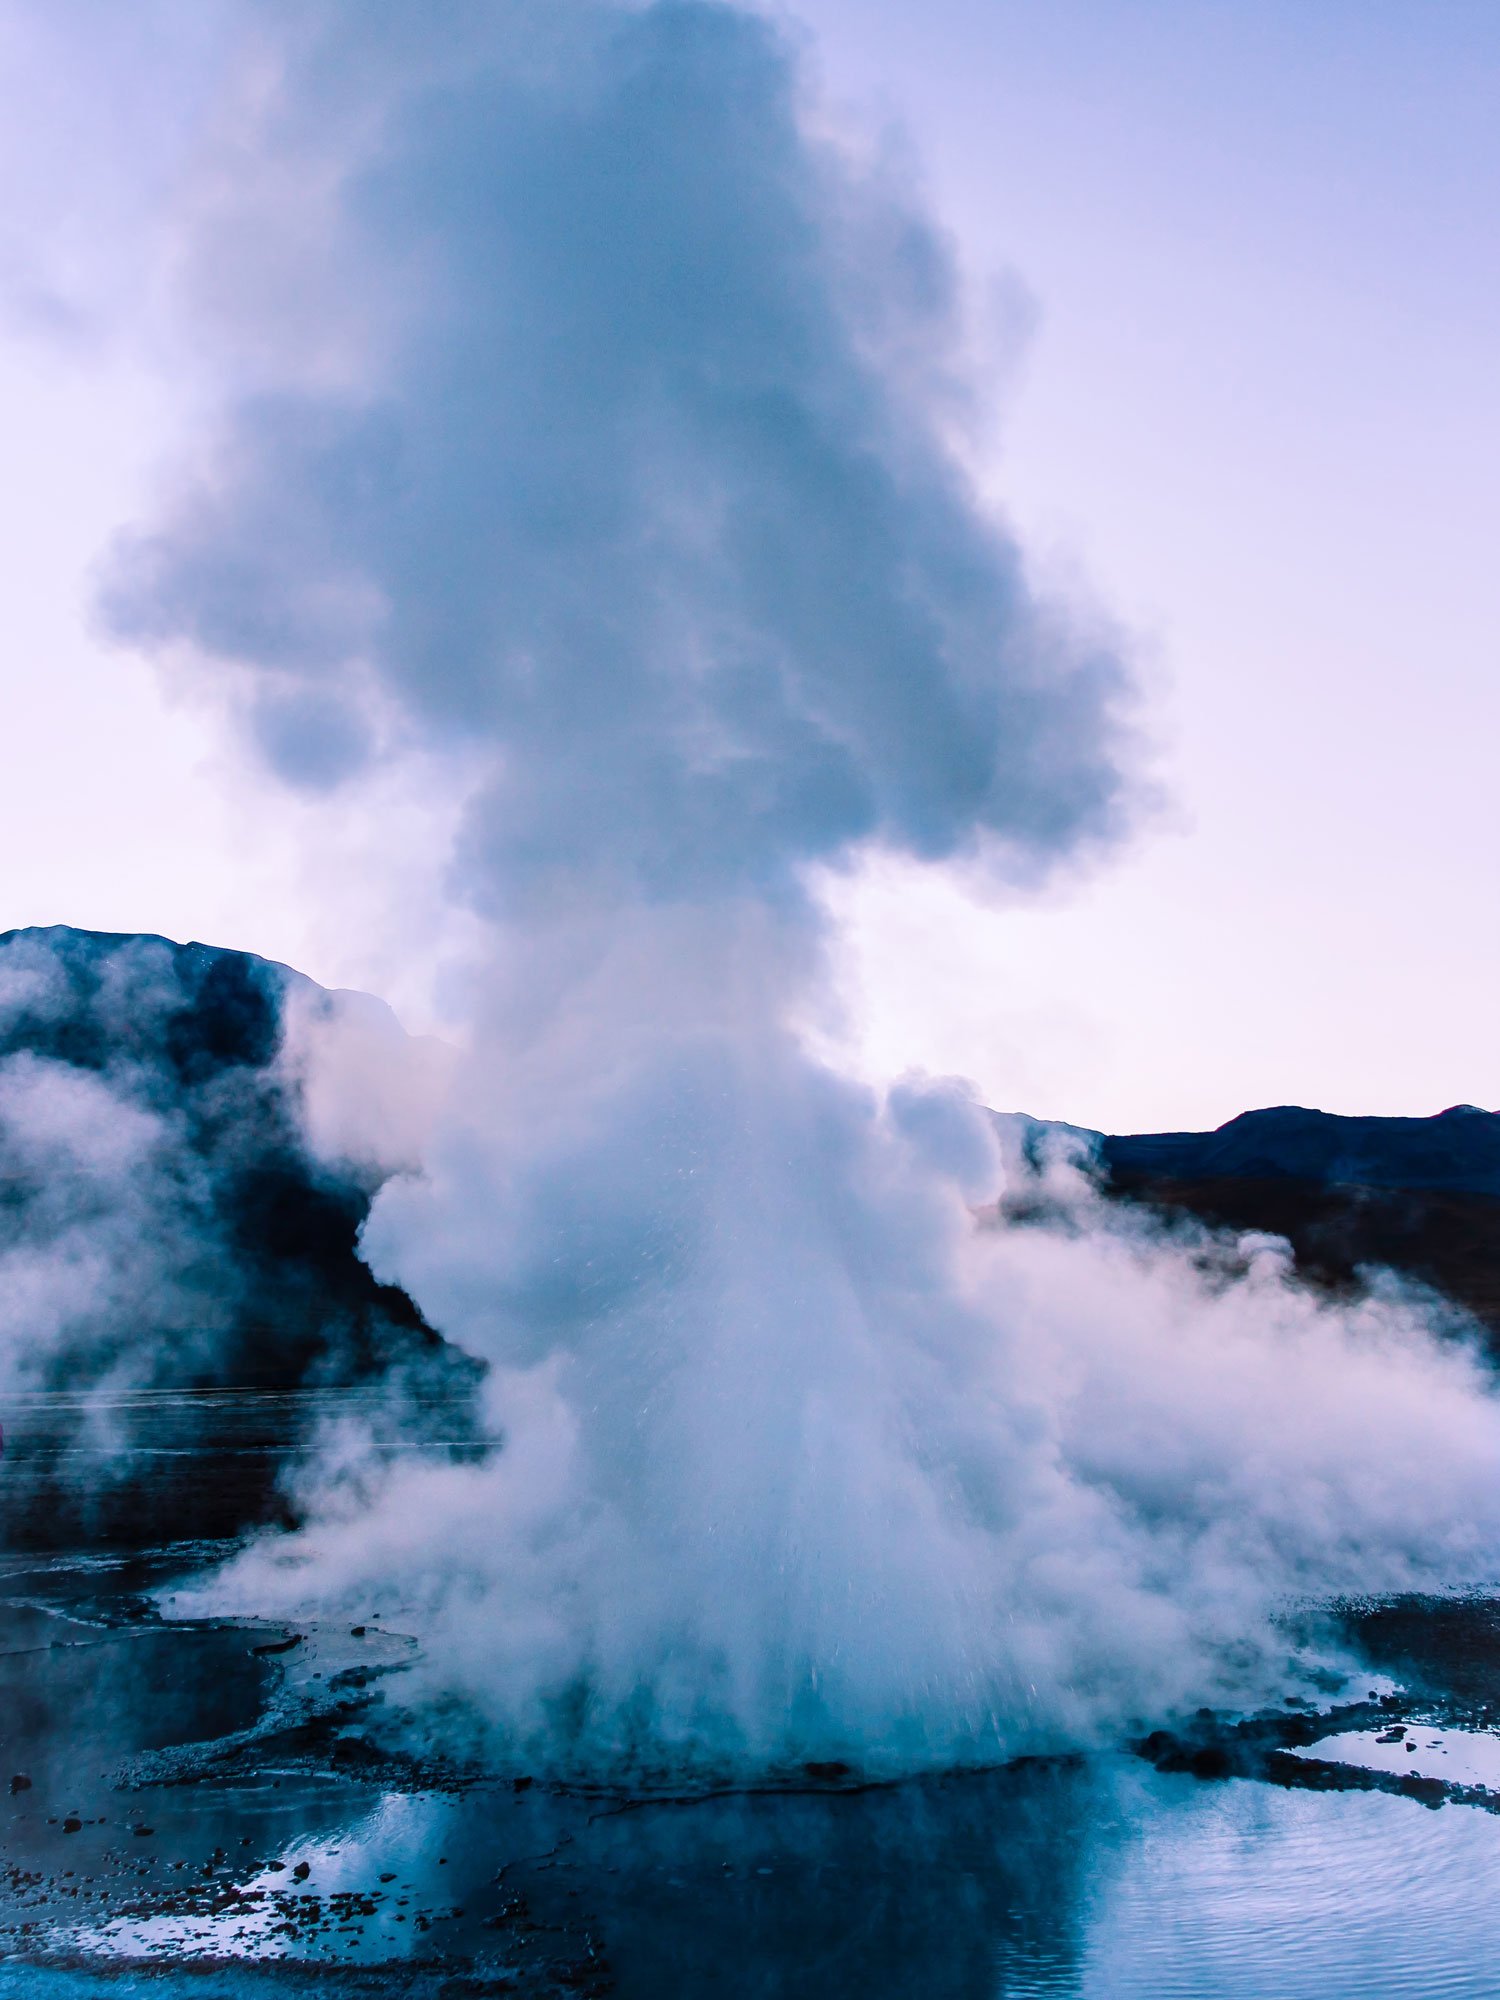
(1097, 1885)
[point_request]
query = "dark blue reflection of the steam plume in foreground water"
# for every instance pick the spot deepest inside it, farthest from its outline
(959, 1889)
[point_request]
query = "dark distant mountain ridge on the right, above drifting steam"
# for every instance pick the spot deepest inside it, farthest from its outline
(1413, 1195)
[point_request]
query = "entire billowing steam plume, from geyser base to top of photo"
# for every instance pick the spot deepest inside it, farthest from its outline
(593, 423)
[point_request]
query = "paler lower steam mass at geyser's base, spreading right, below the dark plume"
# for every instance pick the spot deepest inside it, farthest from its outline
(807, 1455)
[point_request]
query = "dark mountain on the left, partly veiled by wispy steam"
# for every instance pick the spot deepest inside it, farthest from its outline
(167, 1231)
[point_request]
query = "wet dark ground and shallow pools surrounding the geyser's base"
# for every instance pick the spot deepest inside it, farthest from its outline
(221, 1803)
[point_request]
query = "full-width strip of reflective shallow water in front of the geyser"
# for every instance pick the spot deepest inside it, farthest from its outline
(1105, 1883)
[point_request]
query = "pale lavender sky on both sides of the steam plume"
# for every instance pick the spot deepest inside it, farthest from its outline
(1235, 301)
